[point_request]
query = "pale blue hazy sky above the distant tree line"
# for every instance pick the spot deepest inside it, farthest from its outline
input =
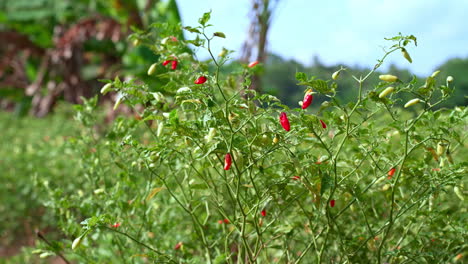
(347, 32)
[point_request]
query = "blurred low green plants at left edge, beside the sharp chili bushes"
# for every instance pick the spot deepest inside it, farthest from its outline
(34, 153)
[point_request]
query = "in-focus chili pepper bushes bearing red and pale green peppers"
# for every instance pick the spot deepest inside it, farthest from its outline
(153, 187)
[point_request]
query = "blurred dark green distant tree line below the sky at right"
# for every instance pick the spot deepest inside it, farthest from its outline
(278, 79)
